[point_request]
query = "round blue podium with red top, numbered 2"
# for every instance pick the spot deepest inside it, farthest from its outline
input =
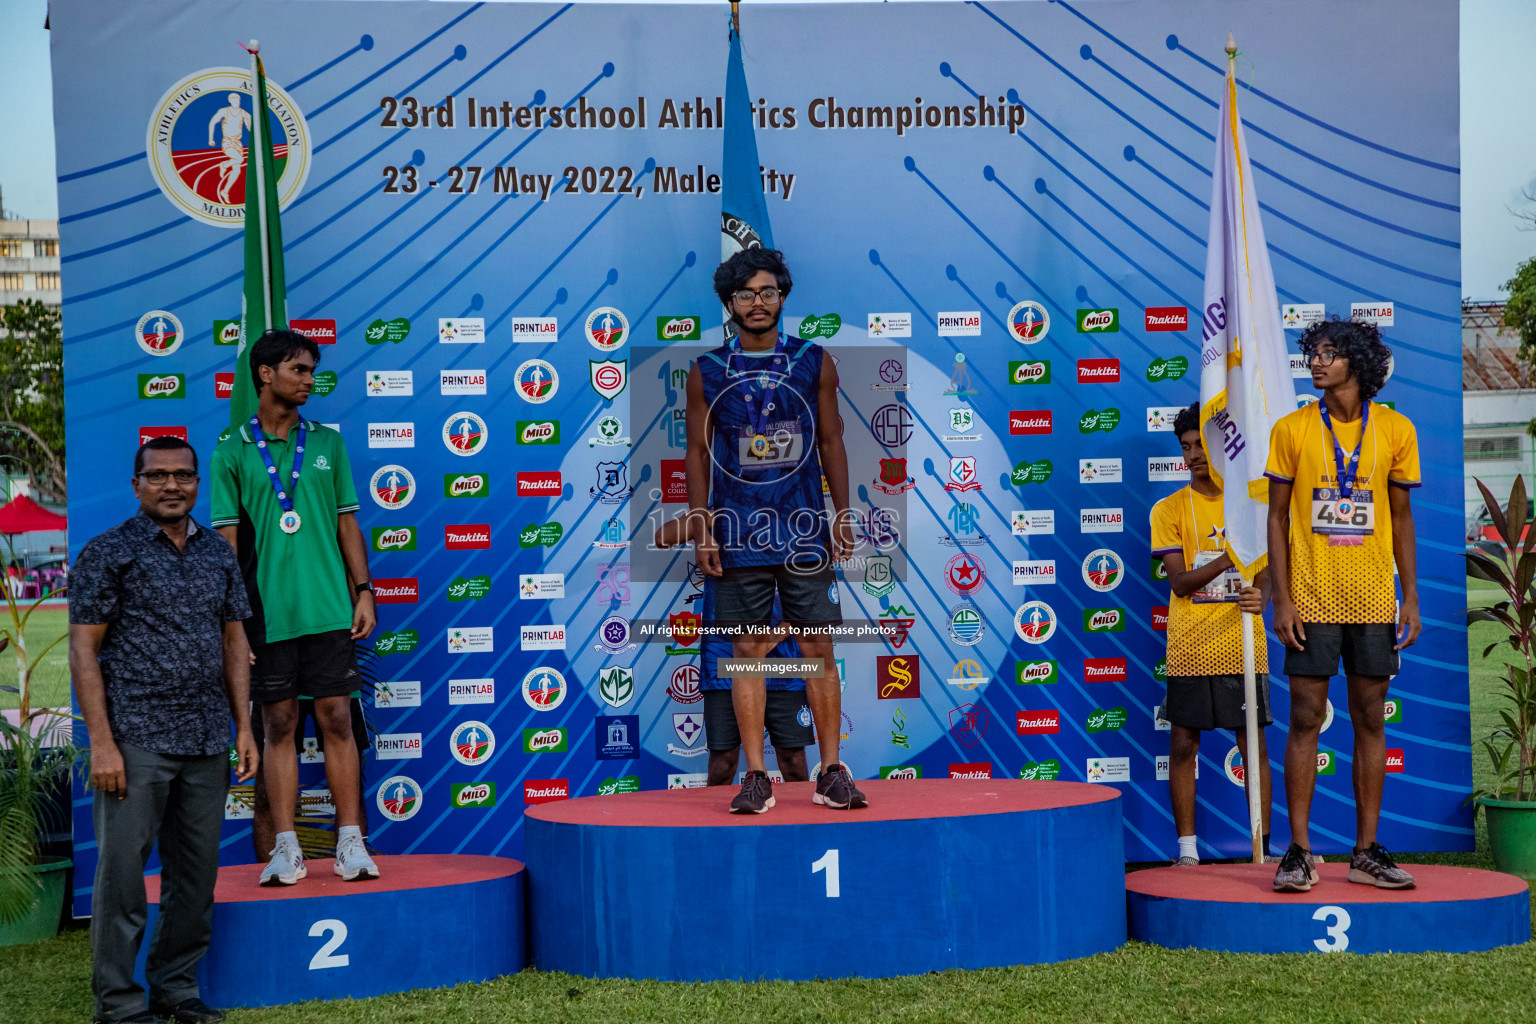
(428, 922)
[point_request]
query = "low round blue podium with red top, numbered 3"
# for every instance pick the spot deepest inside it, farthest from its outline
(1234, 908)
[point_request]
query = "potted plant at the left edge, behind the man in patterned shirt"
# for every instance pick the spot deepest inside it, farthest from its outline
(36, 758)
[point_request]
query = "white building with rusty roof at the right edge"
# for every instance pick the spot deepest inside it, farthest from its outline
(1497, 411)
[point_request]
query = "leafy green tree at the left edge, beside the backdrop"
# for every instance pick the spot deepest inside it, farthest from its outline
(33, 395)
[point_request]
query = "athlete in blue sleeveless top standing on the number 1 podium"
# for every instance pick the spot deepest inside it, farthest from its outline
(763, 429)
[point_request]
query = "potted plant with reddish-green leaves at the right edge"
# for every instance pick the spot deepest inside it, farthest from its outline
(1509, 802)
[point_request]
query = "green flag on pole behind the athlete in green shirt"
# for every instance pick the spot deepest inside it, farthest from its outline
(265, 300)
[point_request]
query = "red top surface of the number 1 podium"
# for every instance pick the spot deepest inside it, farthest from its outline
(890, 801)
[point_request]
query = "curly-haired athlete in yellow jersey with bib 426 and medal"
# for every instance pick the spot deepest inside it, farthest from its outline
(1342, 471)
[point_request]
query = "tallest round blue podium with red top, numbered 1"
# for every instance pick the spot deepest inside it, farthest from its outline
(935, 874)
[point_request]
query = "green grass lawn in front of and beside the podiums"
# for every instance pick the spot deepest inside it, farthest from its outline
(48, 983)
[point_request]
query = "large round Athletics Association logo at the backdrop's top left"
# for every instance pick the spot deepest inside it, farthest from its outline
(199, 140)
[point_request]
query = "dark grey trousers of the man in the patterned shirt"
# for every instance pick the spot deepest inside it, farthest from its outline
(179, 802)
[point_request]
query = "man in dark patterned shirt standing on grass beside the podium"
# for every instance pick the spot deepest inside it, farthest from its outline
(161, 666)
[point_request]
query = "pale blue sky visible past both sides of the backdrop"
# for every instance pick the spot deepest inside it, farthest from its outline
(1498, 156)
